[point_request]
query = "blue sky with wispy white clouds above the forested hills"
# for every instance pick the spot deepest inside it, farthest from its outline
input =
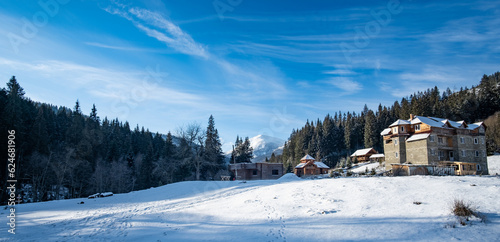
(260, 67)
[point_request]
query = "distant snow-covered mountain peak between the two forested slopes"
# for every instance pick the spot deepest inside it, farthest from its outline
(264, 146)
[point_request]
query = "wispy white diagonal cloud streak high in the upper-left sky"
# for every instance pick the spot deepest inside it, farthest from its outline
(160, 28)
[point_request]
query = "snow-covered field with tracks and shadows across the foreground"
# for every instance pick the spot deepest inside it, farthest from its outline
(289, 209)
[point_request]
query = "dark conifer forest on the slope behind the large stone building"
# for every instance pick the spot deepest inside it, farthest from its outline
(335, 137)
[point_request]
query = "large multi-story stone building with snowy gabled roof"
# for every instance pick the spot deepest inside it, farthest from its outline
(437, 142)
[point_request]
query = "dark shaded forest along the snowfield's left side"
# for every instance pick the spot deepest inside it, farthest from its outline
(63, 153)
